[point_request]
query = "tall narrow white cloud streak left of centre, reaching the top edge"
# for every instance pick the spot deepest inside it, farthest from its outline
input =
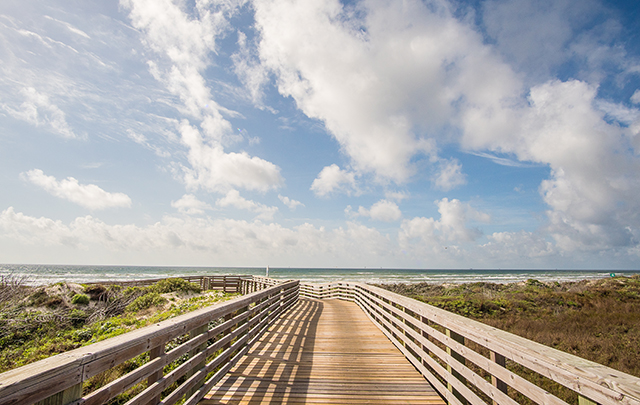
(184, 44)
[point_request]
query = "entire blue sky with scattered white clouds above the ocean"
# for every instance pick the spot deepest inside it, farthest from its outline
(412, 134)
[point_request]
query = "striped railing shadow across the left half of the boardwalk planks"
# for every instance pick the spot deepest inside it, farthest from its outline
(282, 361)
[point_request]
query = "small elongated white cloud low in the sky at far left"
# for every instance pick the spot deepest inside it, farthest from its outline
(86, 195)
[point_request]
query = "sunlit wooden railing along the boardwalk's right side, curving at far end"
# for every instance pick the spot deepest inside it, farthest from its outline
(472, 363)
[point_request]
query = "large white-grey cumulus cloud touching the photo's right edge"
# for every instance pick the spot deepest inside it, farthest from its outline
(592, 198)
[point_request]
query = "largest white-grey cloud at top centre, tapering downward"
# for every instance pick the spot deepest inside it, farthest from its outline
(383, 77)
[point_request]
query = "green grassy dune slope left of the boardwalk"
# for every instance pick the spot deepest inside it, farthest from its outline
(38, 322)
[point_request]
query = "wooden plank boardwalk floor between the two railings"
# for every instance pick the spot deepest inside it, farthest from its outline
(323, 352)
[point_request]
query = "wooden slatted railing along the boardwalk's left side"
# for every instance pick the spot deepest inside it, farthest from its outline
(185, 356)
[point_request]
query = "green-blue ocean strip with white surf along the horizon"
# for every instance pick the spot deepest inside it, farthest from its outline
(48, 274)
